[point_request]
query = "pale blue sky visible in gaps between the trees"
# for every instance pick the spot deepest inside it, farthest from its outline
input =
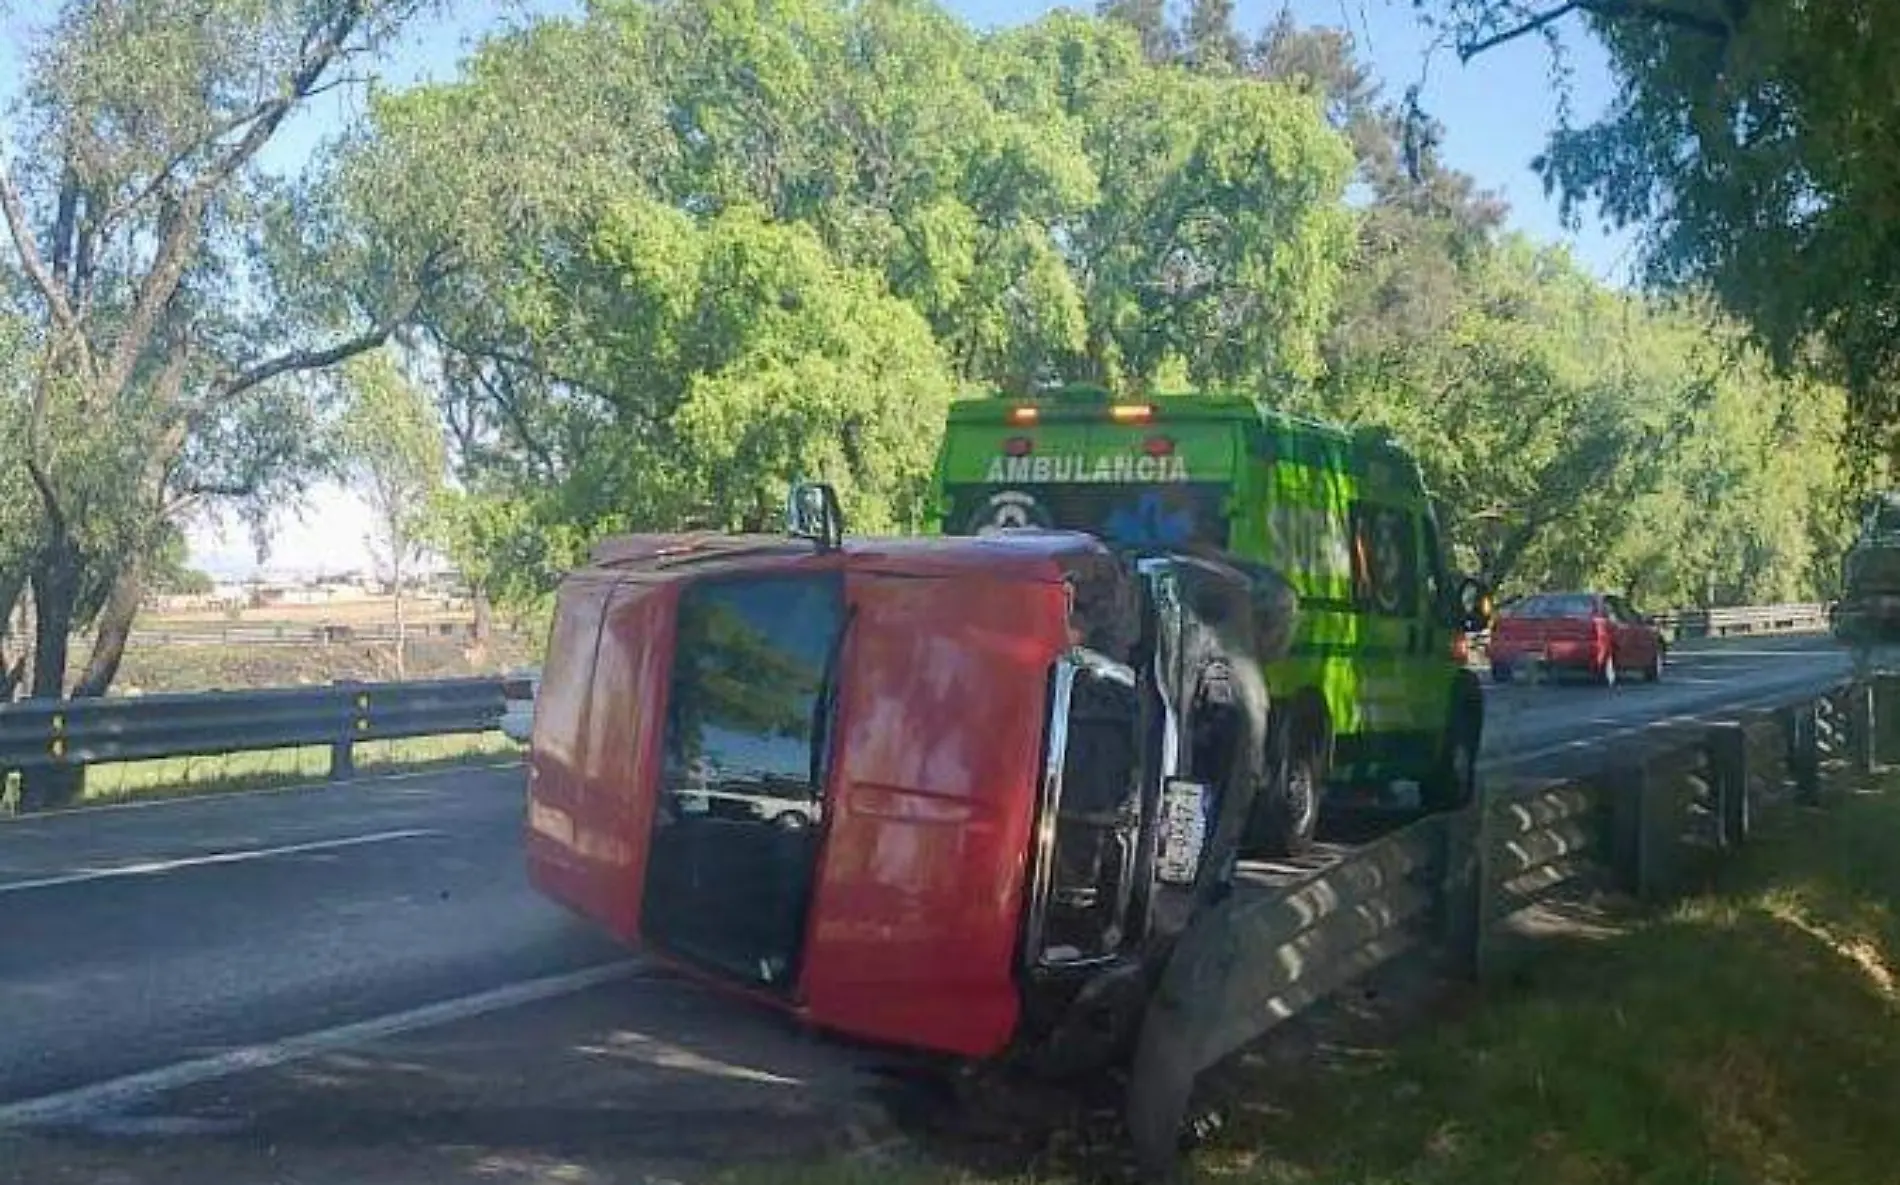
(1498, 113)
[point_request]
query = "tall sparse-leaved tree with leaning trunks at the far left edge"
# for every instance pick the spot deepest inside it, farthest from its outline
(174, 290)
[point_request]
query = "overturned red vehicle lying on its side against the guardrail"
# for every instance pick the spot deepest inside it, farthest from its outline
(953, 795)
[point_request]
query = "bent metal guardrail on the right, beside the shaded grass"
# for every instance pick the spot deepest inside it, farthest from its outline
(1451, 884)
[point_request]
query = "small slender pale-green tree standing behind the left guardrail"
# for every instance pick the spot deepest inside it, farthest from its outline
(394, 457)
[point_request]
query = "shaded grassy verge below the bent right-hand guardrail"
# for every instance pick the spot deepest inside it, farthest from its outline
(1745, 1036)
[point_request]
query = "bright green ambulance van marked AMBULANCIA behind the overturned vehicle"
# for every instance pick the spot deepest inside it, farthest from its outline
(1375, 690)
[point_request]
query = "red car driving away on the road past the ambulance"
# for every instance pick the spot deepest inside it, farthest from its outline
(1589, 633)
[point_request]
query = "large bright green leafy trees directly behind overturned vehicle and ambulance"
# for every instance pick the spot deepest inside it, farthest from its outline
(770, 242)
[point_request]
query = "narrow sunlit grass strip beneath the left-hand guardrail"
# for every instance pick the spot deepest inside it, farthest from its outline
(225, 774)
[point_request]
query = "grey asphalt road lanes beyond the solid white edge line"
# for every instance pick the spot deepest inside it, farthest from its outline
(140, 939)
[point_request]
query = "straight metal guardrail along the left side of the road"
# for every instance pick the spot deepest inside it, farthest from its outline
(88, 732)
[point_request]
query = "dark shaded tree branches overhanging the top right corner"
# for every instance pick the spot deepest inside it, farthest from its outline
(1753, 143)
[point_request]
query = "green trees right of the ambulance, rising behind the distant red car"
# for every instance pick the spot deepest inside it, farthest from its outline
(1574, 436)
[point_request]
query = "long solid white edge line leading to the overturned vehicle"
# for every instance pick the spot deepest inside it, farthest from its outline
(115, 1095)
